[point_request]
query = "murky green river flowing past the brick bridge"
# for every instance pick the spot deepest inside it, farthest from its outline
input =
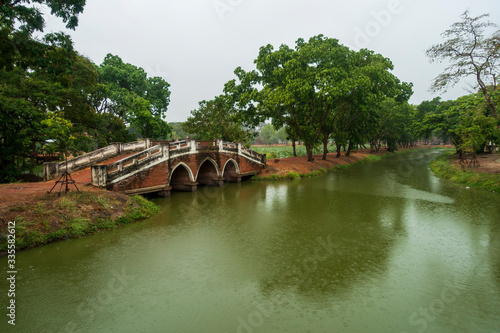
(380, 247)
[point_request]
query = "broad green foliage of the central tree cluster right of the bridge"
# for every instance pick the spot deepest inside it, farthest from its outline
(316, 91)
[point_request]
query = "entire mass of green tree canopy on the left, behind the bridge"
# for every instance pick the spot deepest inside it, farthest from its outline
(52, 99)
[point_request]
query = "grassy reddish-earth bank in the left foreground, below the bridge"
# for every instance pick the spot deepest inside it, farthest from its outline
(51, 218)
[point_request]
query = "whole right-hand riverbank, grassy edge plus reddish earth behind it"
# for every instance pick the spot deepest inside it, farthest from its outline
(486, 177)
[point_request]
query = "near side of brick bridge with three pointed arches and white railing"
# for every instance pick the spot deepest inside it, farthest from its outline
(180, 166)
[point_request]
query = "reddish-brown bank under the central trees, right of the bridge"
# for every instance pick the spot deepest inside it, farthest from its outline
(299, 167)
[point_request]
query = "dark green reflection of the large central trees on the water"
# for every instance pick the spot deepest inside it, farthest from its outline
(354, 246)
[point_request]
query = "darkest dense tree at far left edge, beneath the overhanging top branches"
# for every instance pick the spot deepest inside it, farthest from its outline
(30, 95)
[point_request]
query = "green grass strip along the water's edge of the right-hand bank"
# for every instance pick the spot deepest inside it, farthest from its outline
(444, 167)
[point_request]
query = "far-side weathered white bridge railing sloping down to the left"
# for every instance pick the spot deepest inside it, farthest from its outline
(55, 169)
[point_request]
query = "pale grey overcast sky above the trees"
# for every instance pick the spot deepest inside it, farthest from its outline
(195, 45)
